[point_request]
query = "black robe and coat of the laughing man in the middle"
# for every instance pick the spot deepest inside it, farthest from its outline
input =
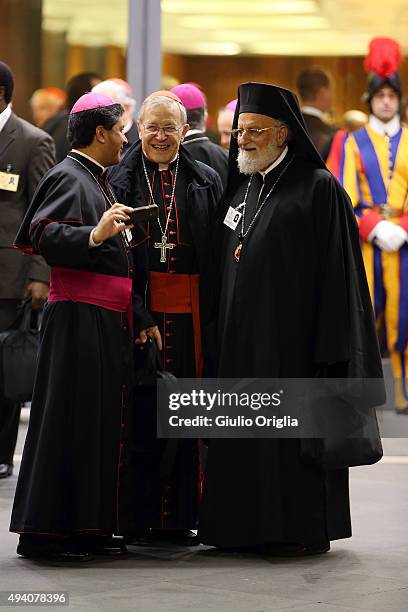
(169, 473)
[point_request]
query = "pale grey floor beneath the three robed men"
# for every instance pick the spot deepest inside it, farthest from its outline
(368, 572)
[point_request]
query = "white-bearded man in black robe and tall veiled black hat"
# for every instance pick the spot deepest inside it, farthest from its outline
(291, 273)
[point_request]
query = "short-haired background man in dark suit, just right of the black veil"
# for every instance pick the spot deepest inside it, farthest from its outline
(315, 90)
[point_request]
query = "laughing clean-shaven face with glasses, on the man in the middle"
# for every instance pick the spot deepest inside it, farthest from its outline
(161, 145)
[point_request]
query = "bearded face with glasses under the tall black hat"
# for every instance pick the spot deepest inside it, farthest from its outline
(258, 152)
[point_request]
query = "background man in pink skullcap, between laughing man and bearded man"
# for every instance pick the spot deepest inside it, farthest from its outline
(196, 141)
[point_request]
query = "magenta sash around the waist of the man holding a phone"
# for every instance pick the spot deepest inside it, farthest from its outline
(104, 290)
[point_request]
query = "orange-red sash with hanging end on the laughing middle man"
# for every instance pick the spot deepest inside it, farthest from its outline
(179, 293)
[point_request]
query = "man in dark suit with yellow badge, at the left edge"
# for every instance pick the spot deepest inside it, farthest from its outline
(26, 153)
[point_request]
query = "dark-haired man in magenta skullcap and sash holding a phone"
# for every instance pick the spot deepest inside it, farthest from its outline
(72, 492)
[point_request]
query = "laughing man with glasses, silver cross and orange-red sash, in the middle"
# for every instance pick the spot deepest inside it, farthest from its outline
(174, 293)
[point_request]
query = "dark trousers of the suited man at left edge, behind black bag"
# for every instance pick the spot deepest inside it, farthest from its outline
(9, 411)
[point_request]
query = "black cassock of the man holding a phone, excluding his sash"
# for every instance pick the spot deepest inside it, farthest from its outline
(74, 473)
